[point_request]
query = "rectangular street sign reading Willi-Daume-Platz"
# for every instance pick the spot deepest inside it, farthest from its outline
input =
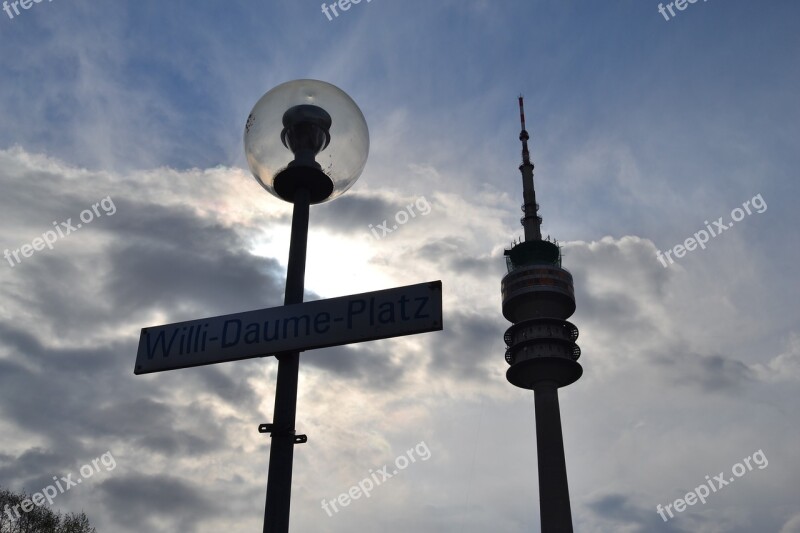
(332, 322)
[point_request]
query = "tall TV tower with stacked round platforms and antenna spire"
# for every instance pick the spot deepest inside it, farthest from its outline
(538, 297)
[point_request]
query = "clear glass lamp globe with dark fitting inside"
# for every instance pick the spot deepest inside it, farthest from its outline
(306, 134)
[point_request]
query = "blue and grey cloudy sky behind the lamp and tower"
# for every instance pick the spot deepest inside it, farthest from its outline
(646, 128)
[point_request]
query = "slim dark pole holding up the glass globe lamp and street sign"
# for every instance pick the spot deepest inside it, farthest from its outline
(281, 455)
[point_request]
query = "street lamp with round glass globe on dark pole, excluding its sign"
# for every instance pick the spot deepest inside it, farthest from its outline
(306, 142)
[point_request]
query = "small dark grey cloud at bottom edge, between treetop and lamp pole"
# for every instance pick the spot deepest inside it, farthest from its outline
(143, 502)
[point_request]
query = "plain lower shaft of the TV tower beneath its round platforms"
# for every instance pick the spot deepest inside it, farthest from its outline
(553, 489)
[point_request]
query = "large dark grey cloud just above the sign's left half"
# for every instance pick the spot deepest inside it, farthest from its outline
(158, 258)
